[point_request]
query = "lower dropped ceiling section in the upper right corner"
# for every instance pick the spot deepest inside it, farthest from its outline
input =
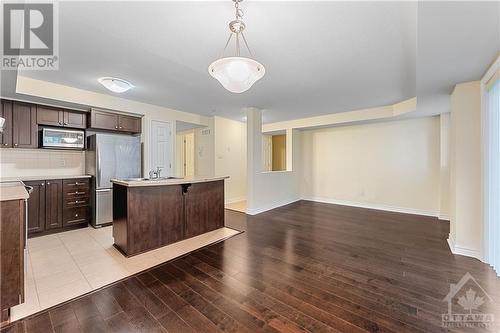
(457, 41)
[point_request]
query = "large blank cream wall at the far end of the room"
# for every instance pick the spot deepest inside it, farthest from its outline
(389, 165)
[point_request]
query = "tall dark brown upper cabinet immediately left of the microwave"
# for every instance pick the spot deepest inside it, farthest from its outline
(24, 128)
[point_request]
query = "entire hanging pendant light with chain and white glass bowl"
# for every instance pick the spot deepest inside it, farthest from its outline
(236, 73)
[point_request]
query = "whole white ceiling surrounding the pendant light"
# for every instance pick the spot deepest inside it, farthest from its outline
(320, 57)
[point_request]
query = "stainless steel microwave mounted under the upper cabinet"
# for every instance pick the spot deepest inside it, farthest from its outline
(56, 138)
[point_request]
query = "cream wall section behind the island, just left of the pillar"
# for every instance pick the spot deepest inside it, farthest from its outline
(231, 156)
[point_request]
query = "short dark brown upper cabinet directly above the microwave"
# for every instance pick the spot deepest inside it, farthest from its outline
(51, 116)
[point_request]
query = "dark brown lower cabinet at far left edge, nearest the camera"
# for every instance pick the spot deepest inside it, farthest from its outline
(11, 255)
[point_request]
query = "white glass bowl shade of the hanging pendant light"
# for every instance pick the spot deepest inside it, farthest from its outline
(236, 74)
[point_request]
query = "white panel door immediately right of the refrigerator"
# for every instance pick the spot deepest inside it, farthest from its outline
(161, 147)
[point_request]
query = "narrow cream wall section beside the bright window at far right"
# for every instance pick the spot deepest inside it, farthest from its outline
(465, 170)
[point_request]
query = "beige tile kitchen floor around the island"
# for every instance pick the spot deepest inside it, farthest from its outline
(69, 264)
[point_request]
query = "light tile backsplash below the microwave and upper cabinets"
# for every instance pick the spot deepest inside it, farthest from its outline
(41, 162)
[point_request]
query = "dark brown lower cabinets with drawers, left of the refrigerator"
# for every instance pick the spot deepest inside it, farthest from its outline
(56, 205)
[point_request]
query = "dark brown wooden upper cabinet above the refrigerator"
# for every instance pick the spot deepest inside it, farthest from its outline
(114, 122)
